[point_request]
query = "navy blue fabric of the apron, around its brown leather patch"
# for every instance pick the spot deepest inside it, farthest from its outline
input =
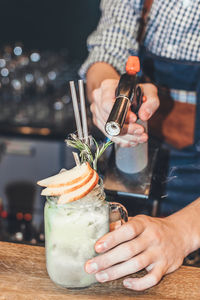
(180, 178)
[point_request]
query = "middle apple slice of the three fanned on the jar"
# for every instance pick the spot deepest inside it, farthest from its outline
(63, 189)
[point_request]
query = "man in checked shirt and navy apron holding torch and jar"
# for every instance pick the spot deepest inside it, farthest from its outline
(170, 55)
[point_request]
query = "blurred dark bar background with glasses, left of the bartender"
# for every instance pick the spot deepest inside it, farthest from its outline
(42, 45)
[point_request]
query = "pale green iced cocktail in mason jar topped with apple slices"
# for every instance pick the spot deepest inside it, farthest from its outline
(76, 216)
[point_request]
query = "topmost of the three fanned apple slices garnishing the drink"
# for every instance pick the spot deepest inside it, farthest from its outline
(67, 177)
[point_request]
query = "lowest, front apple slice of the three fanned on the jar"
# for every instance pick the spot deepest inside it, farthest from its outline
(80, 192)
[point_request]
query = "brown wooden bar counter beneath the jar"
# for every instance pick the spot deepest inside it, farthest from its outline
(23, 276)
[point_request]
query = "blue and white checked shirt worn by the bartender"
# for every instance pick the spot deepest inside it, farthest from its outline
(172, 31)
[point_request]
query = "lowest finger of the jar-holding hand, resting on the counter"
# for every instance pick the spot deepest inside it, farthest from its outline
(149, 280)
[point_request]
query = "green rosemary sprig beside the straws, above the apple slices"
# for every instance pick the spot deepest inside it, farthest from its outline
(87, 153)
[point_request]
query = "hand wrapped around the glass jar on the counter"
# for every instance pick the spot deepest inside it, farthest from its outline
(156, 244)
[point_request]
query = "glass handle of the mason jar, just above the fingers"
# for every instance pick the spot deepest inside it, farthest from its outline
(118, 215)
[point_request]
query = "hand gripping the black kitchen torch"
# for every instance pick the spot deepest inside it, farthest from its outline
(132, 133)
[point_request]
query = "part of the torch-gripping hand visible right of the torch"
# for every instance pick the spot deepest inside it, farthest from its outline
(152, 102)
